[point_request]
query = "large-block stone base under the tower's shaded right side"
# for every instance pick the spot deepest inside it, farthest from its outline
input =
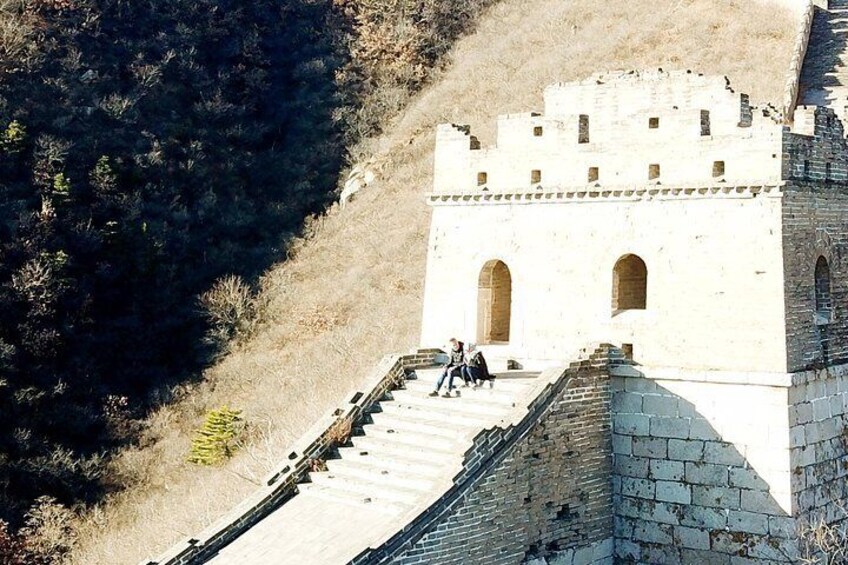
(818, 416)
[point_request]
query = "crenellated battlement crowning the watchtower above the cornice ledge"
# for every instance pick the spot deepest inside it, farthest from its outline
(642, 128)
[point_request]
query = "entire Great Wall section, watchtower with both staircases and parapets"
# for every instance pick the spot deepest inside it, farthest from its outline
(700, 245)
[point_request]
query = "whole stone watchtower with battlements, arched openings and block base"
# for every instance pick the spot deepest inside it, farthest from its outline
(661, 212)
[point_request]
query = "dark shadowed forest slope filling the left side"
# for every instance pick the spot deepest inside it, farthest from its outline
(148, 148)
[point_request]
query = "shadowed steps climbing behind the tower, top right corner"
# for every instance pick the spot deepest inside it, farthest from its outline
(824, 75)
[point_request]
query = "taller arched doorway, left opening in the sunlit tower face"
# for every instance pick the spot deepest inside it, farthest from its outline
(494, 303)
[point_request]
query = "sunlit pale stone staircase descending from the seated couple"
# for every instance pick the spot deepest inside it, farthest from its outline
(393, 469)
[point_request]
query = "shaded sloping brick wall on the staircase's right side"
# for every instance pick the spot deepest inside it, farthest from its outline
(531, 492)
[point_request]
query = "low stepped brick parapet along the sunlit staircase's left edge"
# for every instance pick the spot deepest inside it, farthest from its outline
(281, 485)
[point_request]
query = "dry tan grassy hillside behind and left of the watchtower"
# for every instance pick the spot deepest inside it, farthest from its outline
(352, 292)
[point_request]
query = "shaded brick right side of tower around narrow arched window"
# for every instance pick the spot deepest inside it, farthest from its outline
(815, 224)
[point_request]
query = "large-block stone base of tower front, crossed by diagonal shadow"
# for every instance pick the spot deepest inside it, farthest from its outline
(701, 471)
